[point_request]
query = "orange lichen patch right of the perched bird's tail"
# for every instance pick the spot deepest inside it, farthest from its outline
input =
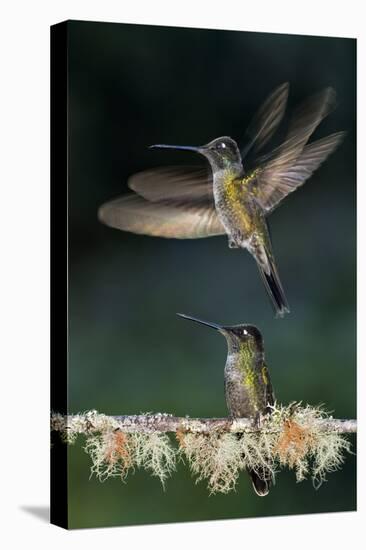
(294, 443)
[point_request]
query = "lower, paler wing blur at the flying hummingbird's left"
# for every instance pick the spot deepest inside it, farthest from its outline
(171, 220)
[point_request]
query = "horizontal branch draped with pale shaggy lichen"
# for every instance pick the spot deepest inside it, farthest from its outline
(305, 439)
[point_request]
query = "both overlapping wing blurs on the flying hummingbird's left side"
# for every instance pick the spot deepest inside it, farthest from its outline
(173, 202)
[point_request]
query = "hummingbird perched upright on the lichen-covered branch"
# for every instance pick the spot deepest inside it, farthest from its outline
(248, 388)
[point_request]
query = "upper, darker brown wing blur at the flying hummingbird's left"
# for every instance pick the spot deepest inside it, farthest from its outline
(177, 183)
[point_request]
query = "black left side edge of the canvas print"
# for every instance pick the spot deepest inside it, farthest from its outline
(59, 266)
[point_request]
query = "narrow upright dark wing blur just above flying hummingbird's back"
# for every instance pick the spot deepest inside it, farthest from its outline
(267, 119)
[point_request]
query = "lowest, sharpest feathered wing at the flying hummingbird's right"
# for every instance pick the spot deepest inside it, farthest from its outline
(281, 177)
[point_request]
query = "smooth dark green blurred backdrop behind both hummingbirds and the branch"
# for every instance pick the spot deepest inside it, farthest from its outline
(131, 86)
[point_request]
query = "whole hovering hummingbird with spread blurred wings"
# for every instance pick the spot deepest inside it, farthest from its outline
(233, 198)
